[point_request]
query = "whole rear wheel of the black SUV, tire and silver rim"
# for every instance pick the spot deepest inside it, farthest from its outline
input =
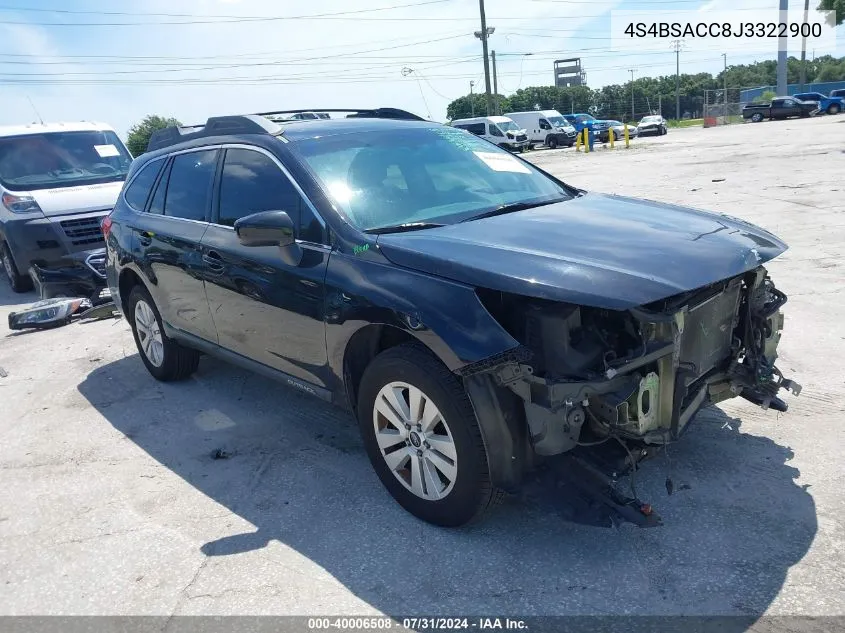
(163, 357)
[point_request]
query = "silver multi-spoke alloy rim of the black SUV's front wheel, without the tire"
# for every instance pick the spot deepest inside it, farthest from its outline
(415, 440)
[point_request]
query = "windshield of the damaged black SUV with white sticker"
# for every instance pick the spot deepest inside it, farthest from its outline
(439, 174)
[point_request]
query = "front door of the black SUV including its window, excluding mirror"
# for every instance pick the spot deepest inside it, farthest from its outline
(263, 308)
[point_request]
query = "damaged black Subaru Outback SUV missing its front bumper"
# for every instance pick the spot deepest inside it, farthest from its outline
(474, 312)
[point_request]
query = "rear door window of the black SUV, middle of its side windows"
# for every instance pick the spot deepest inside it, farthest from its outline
(189, 186)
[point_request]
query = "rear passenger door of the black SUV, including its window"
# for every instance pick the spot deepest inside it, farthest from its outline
(167, 240)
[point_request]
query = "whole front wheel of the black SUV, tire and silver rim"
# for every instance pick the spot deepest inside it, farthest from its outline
(422, 438)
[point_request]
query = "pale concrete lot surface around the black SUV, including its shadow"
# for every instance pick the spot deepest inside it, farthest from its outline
(111, 502)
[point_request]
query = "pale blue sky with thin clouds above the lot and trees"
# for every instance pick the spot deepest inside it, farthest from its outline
(117, 62)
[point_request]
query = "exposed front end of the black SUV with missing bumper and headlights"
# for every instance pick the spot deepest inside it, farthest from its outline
(640, 374)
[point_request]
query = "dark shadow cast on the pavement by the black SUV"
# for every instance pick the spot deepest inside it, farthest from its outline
(296, 470)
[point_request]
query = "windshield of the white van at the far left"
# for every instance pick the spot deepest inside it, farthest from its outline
(62, 159)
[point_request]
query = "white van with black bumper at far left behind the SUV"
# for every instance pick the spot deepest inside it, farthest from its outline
(57, 182)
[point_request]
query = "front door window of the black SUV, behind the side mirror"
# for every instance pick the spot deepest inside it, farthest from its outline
(252, 182)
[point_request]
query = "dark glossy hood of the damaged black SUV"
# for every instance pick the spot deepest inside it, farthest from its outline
(596, 250)
